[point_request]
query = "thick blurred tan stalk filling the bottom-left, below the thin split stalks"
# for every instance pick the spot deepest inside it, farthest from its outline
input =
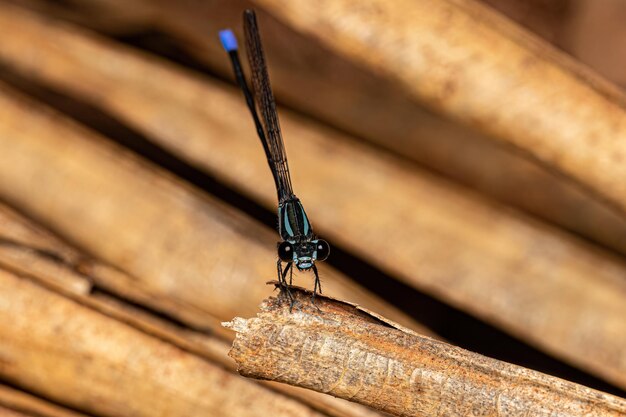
(78, 349)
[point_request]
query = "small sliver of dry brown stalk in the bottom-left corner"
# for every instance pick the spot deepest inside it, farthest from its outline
(22, 402)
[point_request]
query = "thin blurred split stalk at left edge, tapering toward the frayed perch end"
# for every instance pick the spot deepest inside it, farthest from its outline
(27, 248)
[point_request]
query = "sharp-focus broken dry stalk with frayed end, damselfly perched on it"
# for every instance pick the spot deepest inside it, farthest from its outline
(350, 353)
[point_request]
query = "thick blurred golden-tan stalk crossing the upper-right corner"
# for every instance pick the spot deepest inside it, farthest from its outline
(474, 65)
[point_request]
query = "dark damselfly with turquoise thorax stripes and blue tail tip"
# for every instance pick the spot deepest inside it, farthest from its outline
(299, 247)
